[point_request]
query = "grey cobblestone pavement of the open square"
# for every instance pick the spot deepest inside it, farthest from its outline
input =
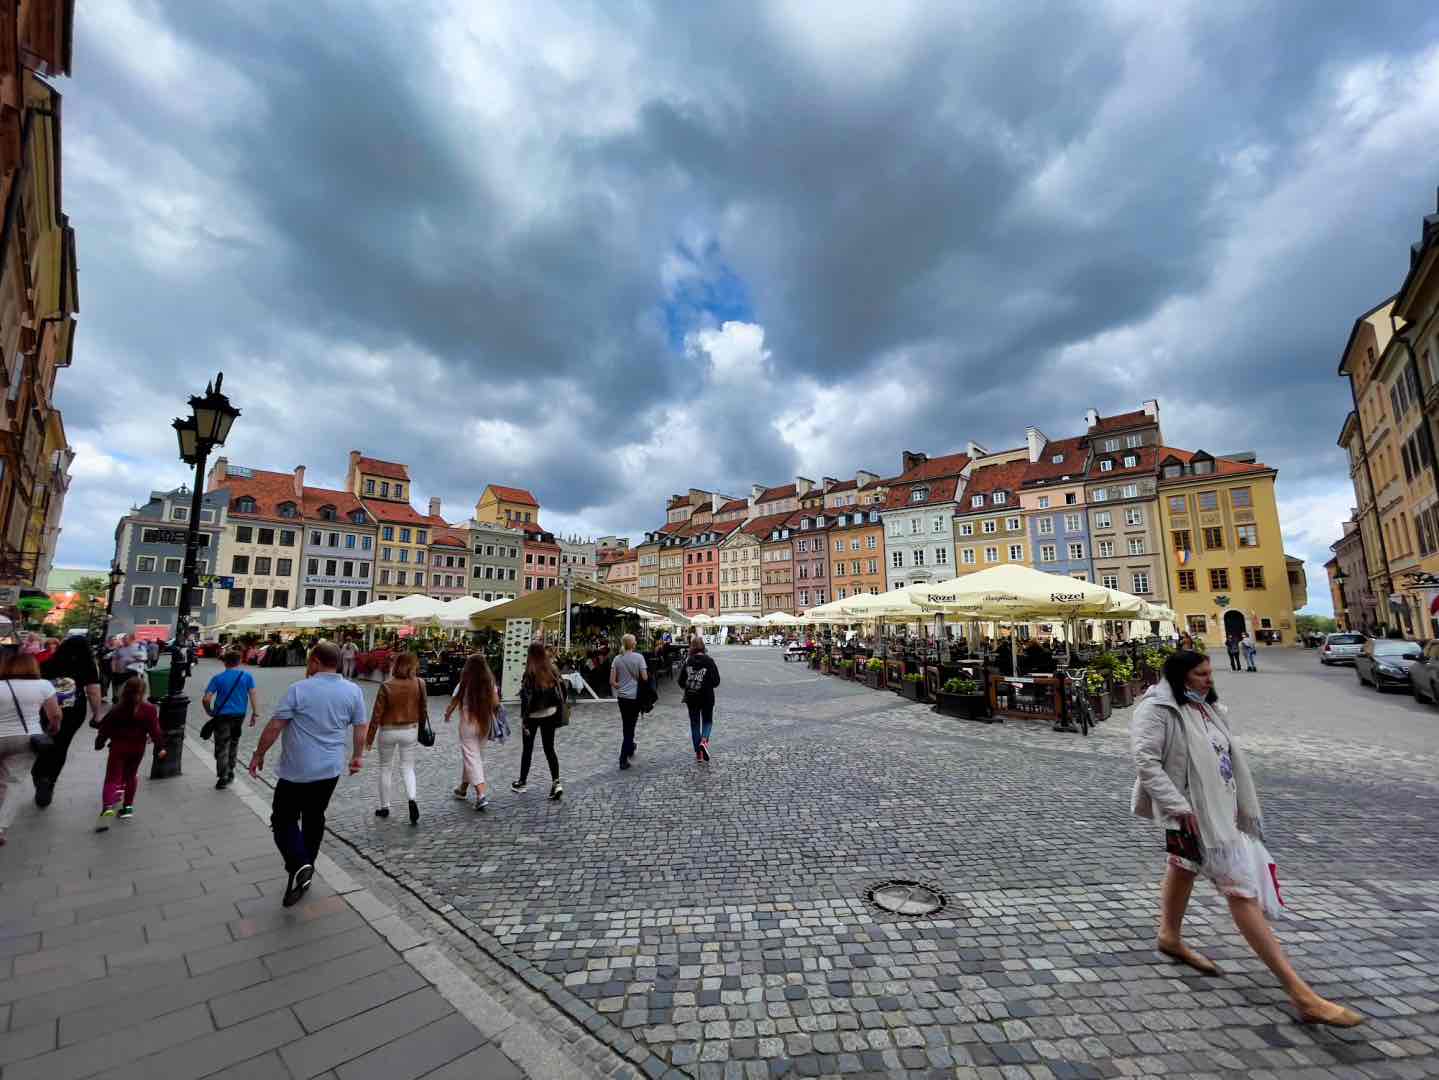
(712, 921)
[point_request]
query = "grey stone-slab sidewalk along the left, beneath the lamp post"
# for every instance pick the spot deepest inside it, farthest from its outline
(160, 950)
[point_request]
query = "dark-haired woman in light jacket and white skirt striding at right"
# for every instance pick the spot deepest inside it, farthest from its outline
(1194, 780)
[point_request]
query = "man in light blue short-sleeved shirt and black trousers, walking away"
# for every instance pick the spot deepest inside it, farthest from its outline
(316, 721)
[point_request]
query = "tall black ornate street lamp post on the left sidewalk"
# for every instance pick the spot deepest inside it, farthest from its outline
(202, 432)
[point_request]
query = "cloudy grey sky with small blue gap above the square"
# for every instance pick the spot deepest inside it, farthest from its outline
(612, 251)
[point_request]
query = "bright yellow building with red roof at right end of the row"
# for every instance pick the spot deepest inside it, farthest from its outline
(1227, 563)
